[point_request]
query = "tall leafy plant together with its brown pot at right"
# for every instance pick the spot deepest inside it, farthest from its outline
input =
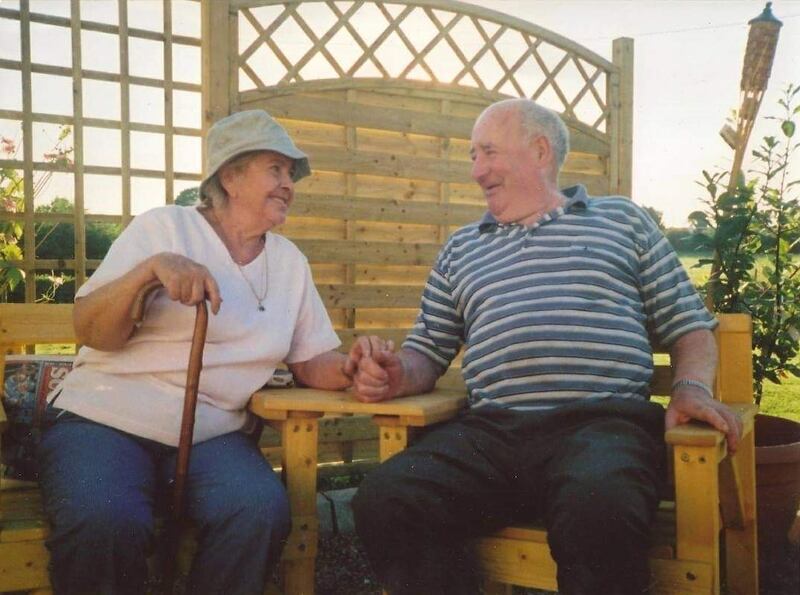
(753, 231)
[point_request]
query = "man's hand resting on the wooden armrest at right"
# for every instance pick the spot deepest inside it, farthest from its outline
(688, 403)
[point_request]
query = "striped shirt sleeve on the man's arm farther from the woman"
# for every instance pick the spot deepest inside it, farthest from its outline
(671, 302)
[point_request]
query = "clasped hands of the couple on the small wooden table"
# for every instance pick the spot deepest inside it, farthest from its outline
(375, 369)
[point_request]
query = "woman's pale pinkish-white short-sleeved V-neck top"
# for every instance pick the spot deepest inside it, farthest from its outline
(140, 388)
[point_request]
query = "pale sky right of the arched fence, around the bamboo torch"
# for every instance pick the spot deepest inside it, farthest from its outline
(687, 66)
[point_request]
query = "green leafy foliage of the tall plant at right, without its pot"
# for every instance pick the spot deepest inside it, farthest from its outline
(754, 233)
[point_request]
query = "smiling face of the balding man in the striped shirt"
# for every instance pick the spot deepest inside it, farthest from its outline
(506, 165)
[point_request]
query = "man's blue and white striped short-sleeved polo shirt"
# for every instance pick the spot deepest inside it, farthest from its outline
(560, 310)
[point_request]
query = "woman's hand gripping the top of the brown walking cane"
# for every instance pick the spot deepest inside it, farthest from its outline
(185, 280)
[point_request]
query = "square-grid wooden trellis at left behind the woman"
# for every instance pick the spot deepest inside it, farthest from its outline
(122, 80)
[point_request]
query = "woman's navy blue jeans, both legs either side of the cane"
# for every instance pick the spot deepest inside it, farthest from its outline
(102, 486)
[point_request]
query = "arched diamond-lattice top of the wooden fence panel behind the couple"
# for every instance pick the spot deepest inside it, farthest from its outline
(444, 43)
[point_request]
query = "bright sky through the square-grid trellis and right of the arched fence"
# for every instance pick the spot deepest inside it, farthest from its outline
(687, 64)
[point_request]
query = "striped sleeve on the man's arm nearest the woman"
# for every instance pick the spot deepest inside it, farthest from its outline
(438, 331)
